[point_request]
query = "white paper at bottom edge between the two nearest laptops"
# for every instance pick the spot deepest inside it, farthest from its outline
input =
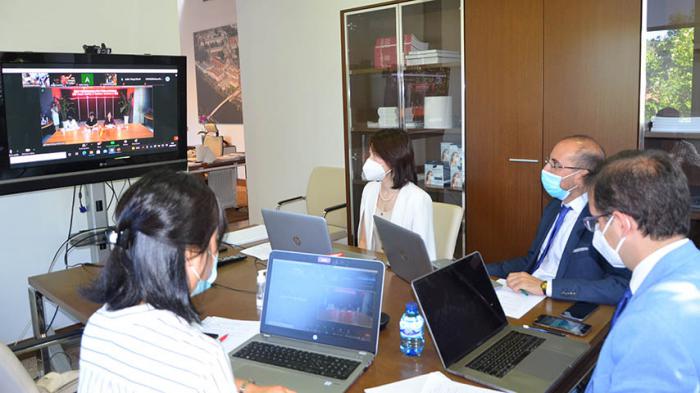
(435, 382)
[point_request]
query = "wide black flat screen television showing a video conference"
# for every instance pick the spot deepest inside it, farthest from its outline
(68, 119)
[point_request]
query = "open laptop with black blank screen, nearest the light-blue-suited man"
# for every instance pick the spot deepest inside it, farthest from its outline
(471, 332)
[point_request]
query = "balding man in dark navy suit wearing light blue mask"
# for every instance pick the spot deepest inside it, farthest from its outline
(561, 262)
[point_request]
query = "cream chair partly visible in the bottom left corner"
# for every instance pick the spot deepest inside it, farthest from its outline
(15, 378)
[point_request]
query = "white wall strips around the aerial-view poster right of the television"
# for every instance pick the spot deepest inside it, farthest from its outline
(197, 15)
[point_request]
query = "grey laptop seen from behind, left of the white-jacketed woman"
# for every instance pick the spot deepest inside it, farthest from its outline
(300, 232)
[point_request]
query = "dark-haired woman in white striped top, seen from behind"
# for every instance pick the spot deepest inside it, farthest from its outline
(145, 337)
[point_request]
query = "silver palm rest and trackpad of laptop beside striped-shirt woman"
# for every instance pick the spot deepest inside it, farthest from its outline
(301, 382)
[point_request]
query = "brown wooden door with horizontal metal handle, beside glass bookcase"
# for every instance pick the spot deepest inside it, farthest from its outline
(503, 43)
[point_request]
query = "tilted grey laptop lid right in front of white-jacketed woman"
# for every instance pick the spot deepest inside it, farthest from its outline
(405, 250)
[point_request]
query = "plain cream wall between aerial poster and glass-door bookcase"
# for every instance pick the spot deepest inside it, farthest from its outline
(292, 85)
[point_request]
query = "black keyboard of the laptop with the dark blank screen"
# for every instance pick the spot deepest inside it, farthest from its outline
(505, 354)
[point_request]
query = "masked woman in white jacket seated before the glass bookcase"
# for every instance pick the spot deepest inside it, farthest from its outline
(392, 192)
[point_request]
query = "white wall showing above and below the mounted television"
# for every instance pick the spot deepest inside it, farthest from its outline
(34, 224)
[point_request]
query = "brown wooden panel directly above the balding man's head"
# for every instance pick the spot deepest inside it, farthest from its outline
(591, 71)
